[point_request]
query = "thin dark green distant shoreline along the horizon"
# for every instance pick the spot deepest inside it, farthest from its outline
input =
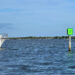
(32, 37)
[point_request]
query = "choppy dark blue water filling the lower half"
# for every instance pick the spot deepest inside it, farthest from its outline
(37, 57)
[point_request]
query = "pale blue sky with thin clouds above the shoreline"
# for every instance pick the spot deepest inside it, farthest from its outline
(20, 18)
